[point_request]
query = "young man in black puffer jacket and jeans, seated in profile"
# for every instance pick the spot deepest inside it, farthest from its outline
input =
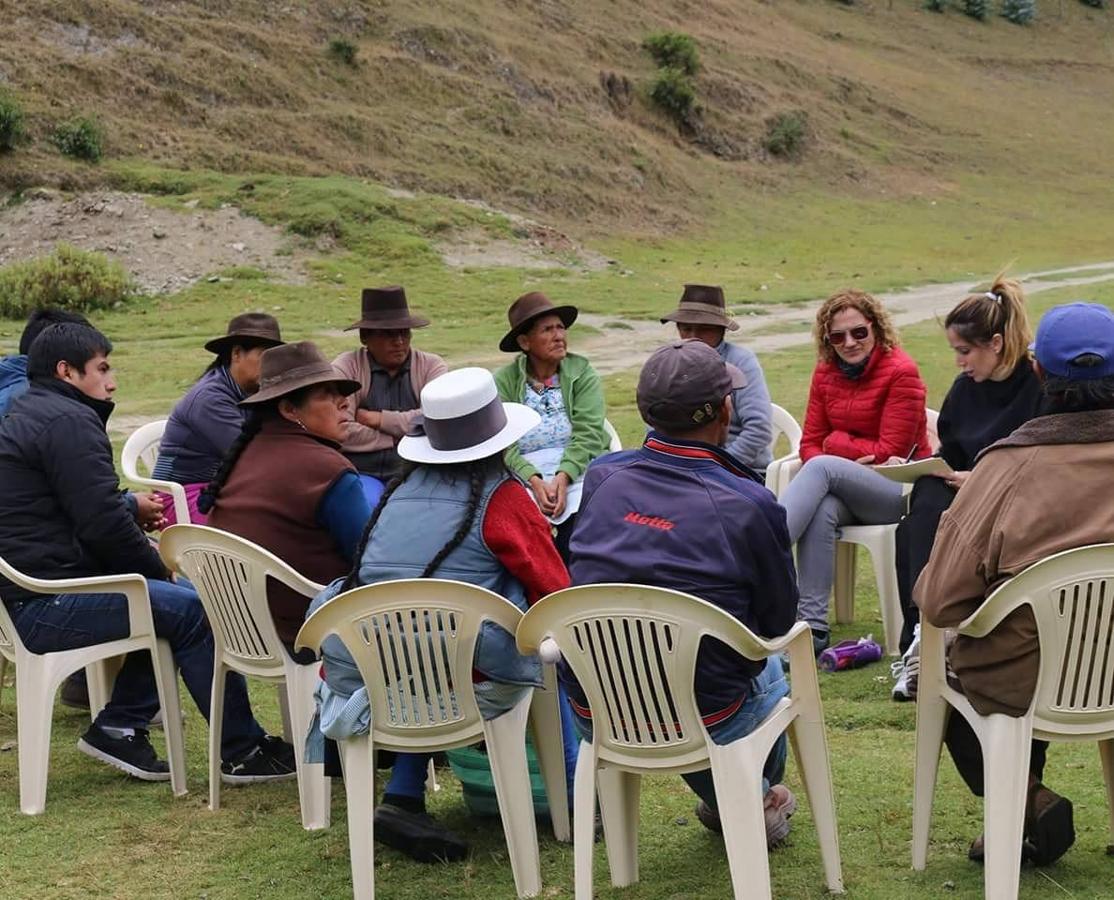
(63, 516)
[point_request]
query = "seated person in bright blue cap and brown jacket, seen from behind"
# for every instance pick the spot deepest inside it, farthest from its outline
(1037, 493)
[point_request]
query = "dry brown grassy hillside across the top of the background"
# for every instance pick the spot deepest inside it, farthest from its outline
(503, 101)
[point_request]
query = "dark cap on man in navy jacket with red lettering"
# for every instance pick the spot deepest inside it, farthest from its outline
(682, 386)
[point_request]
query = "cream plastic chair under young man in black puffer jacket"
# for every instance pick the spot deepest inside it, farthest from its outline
(40, 676)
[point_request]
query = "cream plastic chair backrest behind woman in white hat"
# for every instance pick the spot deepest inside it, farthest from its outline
(414, 642)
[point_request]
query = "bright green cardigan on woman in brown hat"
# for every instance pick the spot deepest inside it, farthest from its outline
(583, 394)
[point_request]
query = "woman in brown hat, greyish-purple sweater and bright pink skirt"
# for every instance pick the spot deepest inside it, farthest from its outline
(209, 419)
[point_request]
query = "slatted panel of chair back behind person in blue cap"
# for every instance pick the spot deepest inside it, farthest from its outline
(1086, 678)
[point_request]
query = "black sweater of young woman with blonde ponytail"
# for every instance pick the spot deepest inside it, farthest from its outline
(975, 415)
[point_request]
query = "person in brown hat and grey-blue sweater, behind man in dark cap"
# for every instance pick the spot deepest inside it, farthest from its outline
(702, 315)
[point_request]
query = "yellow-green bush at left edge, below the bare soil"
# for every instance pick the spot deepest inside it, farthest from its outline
(70, 278)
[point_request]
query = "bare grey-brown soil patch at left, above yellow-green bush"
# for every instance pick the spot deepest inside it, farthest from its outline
(164, 250)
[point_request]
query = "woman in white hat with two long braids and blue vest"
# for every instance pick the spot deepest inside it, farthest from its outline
(457, 513)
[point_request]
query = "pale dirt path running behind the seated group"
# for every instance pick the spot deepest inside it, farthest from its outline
(627, 341)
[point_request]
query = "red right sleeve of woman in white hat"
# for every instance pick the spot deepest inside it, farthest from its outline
(517, 533)
